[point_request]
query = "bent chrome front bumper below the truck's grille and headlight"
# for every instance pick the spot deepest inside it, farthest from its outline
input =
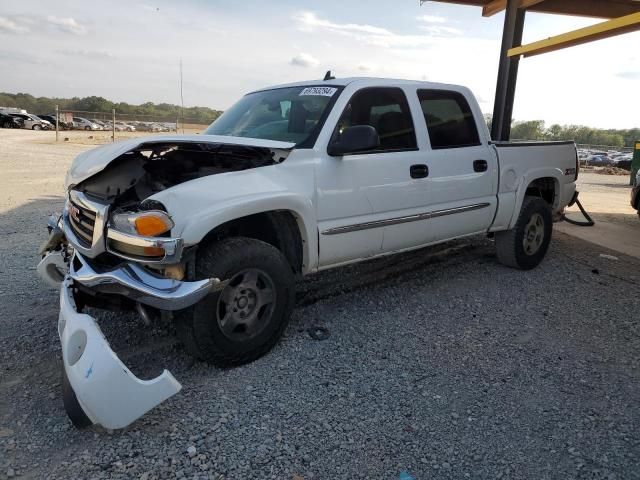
(140, 285)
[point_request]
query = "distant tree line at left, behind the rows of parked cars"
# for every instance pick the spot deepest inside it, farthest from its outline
(156, 111)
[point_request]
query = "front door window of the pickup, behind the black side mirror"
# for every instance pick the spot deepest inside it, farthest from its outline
(386, 109)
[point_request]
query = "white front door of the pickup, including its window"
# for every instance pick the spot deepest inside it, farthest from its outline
(365, 200)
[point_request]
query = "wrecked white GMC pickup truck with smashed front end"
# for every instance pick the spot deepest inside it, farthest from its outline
(213, 229)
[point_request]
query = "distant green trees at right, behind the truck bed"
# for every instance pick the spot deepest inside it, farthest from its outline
(537, 130)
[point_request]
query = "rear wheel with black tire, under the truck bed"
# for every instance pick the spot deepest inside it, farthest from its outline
(514, 248)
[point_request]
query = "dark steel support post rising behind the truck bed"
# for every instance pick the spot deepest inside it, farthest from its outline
(507, 72)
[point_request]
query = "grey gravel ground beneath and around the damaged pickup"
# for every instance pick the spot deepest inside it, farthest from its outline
(440, 363)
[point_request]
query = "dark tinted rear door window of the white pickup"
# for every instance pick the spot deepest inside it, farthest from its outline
(449, 119)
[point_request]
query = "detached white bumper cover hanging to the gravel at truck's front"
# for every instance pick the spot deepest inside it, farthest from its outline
(107, 391)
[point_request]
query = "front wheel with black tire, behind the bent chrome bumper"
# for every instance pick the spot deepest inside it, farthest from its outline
(208, 337)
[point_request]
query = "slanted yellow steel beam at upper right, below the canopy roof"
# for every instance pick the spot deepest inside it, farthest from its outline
(610, 28)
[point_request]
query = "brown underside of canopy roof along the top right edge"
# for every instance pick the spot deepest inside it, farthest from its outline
(584, 8)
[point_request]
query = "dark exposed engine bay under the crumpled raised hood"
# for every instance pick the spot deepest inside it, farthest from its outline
(153, 167)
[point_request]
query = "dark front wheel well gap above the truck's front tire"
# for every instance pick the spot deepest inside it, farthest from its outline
(278, 228)
